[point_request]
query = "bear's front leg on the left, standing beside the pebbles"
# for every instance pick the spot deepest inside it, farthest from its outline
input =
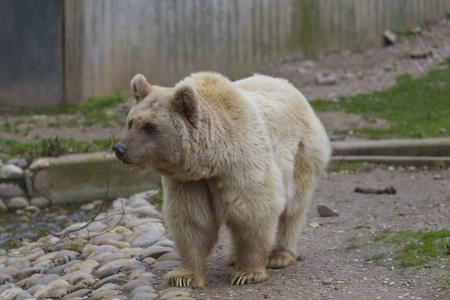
(194, 229)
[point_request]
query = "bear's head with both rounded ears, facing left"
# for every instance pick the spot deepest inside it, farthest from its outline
(161, 126)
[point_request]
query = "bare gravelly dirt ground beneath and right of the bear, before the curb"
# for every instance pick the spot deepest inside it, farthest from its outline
(337, 256)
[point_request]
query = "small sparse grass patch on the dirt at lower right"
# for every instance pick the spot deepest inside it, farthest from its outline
(417, 248)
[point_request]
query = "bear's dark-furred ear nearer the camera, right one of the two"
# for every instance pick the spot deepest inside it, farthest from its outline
(185, 103)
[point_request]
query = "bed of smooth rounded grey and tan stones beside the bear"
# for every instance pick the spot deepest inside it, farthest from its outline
(123, 254)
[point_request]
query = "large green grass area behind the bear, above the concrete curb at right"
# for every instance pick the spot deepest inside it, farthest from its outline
(415, 107)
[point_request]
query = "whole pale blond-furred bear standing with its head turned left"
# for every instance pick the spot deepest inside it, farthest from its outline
(246, 154)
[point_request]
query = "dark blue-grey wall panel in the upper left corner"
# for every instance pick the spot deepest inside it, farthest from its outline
(30, 53)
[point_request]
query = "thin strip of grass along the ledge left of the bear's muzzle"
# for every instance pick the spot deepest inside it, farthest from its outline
(53, 147)
